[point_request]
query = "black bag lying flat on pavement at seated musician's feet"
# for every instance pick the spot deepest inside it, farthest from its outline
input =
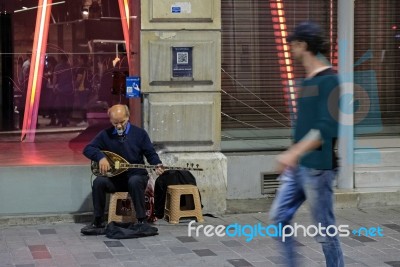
(117, 230)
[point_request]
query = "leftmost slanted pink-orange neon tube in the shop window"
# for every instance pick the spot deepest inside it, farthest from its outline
(36, 71)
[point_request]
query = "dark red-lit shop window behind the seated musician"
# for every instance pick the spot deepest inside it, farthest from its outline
(81, 74)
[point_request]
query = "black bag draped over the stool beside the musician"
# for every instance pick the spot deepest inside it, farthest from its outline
(171, 177)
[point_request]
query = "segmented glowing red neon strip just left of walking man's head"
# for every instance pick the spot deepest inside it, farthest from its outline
(279, 25)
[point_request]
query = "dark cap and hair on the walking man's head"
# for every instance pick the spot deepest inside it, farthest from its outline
(310, 33)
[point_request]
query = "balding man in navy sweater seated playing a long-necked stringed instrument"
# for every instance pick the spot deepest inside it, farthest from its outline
(131, 143)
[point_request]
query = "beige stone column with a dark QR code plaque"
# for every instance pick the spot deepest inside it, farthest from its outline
(181, 85)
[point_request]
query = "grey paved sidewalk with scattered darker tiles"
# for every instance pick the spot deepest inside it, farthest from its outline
(61, 244)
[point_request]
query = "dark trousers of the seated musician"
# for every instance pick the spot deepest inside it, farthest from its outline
(134, 184)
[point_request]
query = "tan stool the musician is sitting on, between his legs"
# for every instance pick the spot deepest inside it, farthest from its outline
(121, 208)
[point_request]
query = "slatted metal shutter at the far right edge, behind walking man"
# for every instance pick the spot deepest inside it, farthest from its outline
(377, 66)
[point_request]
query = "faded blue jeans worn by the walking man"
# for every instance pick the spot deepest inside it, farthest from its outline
(297, 185)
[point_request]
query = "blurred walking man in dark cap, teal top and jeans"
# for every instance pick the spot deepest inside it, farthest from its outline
(309, 166)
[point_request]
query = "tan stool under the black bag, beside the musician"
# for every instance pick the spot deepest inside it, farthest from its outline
(174, 211)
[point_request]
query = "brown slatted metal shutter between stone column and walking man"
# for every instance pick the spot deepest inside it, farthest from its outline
(252, 92)
